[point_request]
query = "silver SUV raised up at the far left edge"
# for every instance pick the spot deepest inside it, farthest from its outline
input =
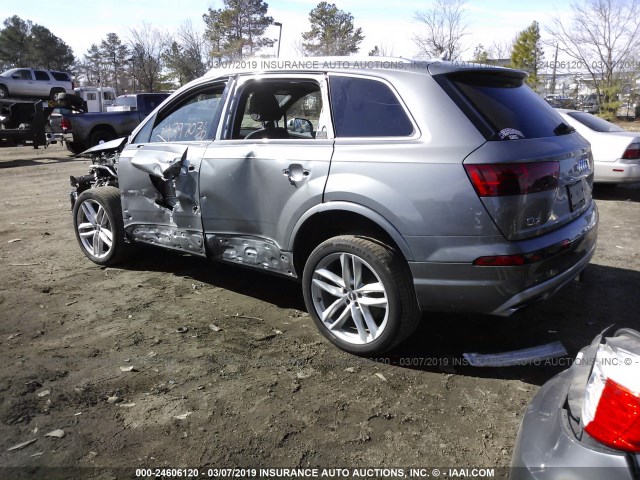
(30, 82)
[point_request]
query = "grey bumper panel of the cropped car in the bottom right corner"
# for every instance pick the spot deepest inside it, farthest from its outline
(546, 448)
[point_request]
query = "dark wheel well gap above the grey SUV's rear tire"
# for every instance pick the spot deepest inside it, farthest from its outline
(324, 225)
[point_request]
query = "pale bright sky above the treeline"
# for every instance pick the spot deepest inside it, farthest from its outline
(384, 23)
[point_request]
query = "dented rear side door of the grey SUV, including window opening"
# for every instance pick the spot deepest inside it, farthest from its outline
(269, 168)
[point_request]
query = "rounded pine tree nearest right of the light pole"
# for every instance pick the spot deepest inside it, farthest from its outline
(332, 32)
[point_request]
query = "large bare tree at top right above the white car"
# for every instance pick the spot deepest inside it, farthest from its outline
(602, 36)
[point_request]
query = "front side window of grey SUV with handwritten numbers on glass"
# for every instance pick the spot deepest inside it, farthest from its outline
(195, 118)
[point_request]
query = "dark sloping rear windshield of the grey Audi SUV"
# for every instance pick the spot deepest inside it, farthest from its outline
(510, 107)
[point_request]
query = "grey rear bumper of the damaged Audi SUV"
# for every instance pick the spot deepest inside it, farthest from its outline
(464, 287)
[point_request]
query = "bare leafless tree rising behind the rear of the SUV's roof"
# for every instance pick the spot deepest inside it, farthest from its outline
(444, 27)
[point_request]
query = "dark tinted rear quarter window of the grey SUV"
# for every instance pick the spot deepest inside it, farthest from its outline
(366, 108)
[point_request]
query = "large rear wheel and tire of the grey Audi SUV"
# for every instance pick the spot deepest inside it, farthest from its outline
(378, 264)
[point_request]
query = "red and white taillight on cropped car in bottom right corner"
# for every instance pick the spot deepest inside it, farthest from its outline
(611, 410)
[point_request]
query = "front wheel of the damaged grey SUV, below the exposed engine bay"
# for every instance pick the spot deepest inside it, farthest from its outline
(102, 204)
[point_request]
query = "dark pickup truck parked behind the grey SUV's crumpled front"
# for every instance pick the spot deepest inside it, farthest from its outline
(81, 131)
